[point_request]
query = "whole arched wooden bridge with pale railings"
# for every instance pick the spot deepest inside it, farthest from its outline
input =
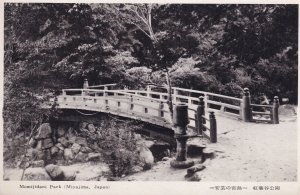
(151, 106)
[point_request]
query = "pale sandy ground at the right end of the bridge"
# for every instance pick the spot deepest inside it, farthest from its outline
(244, 152)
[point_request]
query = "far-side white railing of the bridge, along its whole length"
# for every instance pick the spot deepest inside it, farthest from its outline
(240, 108)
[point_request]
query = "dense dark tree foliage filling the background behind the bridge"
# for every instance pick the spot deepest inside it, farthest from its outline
(217, 48)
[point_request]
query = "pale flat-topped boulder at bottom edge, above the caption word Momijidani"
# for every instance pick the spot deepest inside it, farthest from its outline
(36, 174)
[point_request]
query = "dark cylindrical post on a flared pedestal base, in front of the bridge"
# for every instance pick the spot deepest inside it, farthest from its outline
(180, 122)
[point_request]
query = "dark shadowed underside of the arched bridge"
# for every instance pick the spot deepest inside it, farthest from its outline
(155, 131)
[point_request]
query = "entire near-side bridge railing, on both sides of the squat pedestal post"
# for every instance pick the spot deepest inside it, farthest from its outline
(132, 104)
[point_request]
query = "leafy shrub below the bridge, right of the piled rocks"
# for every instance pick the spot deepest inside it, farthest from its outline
(119, 143)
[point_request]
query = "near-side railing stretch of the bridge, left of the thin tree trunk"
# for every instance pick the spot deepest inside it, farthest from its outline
(117, 102)
